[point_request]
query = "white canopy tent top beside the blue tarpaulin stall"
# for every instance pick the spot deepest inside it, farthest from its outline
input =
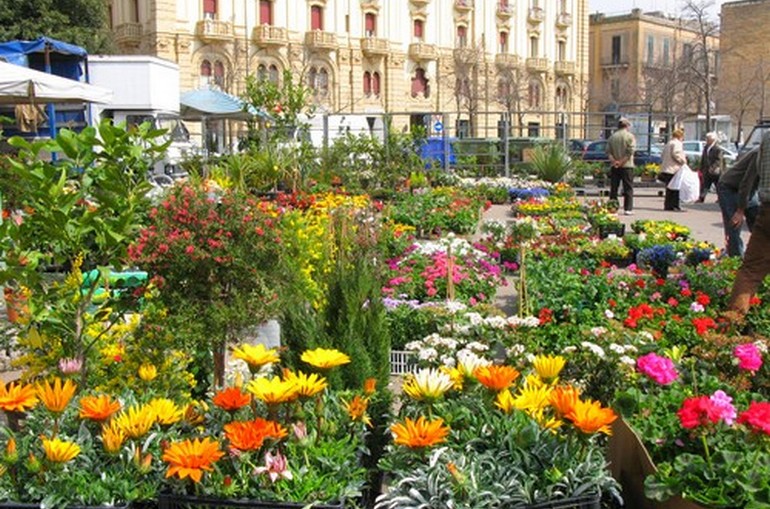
(19, 85)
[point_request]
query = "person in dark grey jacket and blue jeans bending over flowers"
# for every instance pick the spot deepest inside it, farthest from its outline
(739, 200)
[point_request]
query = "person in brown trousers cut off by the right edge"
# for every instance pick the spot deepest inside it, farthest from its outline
(756, 260)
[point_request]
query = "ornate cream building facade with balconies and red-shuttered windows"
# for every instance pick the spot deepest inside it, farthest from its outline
(372, 56)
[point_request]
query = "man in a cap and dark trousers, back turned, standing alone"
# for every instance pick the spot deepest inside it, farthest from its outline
(620, 151)
